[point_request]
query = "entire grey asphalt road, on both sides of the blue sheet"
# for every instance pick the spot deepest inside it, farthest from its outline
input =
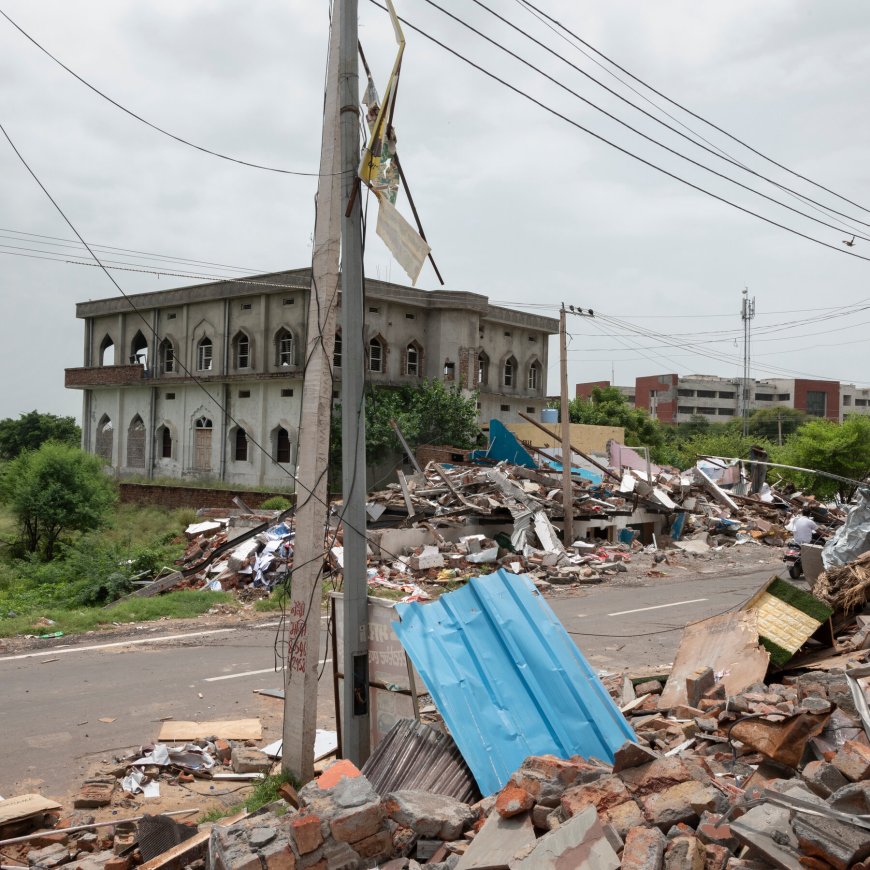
(53, 700)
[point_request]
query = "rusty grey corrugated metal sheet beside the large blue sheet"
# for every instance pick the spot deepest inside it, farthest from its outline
(413, 755)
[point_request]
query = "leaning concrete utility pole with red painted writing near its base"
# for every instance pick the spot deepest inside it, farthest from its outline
(312, 456)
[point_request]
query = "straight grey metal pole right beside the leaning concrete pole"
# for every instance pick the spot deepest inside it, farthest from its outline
(355, 714)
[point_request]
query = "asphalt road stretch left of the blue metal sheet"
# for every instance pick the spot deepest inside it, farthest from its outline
(52, 701)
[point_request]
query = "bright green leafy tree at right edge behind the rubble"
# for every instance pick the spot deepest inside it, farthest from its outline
(838, 448)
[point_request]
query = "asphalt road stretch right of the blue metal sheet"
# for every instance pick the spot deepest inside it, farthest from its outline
(633, 627)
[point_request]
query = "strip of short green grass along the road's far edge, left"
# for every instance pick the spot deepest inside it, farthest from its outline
(186, 604)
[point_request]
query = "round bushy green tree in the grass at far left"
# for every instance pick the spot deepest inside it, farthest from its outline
(54, 490)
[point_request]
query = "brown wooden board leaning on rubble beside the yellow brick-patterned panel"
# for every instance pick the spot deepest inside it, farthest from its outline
(728, 644)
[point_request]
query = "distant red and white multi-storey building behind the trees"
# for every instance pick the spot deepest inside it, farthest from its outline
(673, 398)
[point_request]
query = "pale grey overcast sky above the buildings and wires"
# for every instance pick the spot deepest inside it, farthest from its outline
(517, 203)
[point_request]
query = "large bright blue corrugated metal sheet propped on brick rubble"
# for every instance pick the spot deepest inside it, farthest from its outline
(507, 678)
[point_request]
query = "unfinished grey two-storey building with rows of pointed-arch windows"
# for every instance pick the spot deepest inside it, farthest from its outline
(205, 381)
